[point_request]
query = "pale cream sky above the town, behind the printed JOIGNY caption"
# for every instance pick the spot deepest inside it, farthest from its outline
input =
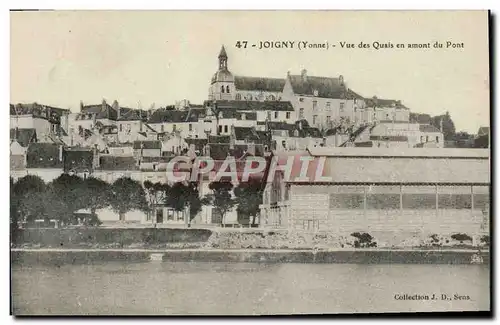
(141, 58)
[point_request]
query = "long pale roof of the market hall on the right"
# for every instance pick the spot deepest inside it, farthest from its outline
(396, 170)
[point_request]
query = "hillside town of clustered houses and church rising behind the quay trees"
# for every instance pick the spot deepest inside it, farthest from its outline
(241, 117)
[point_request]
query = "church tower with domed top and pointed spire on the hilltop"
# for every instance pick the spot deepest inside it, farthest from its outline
(222, 84)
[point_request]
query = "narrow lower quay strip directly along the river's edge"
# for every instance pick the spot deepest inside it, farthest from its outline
(352, 256)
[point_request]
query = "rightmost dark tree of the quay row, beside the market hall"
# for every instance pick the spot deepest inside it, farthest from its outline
(249, 197)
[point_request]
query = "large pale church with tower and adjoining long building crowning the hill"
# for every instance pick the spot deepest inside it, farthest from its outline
(322, 101)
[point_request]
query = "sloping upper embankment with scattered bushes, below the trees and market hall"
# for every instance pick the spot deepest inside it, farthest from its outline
(176, 238)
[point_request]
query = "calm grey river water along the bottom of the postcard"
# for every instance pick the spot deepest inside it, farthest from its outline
(118, 288)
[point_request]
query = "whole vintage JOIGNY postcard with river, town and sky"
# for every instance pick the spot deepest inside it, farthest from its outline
(249, 162)
